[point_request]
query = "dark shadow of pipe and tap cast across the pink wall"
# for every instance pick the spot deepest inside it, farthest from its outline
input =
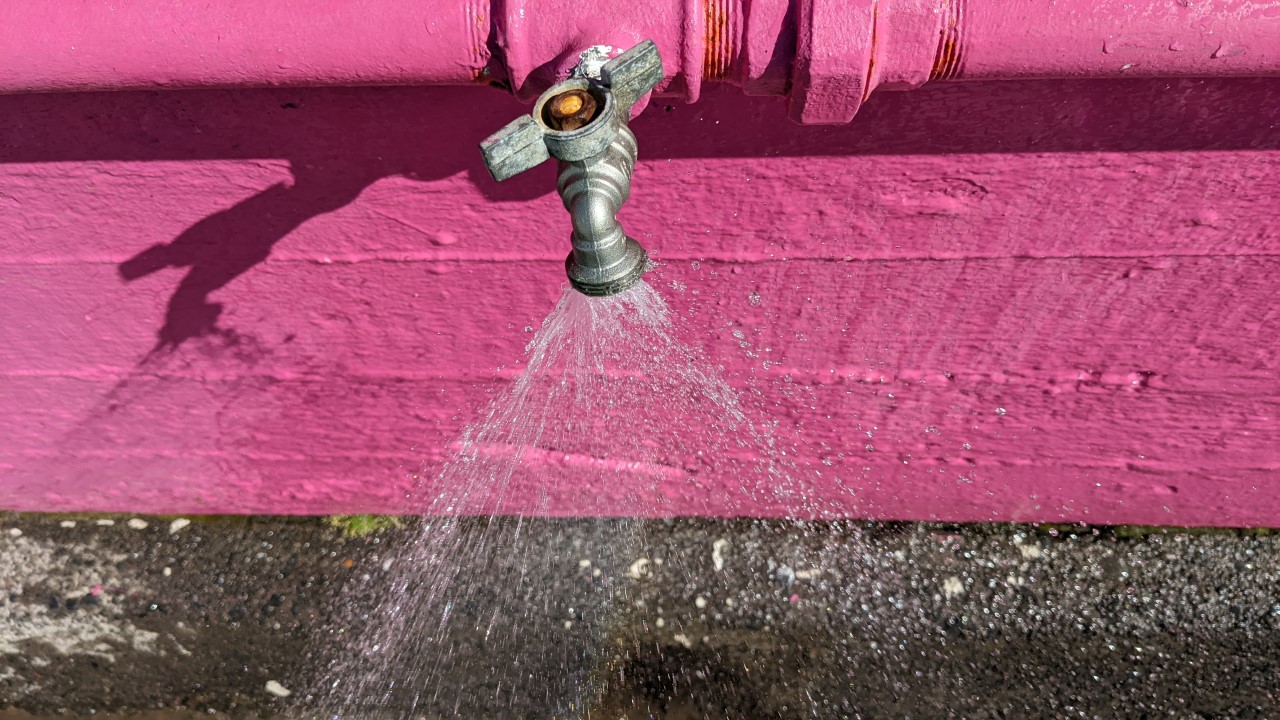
(339, 142)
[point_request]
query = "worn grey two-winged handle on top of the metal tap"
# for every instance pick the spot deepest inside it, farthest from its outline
(531, 140)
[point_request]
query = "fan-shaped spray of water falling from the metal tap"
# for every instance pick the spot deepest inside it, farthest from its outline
(612, 409)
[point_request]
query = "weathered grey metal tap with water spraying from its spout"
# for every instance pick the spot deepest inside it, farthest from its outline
(583, 124)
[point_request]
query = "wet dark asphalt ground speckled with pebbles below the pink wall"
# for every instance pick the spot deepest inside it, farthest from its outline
(682, 619)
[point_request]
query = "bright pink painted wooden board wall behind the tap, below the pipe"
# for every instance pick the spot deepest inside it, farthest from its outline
(1049, 300)
